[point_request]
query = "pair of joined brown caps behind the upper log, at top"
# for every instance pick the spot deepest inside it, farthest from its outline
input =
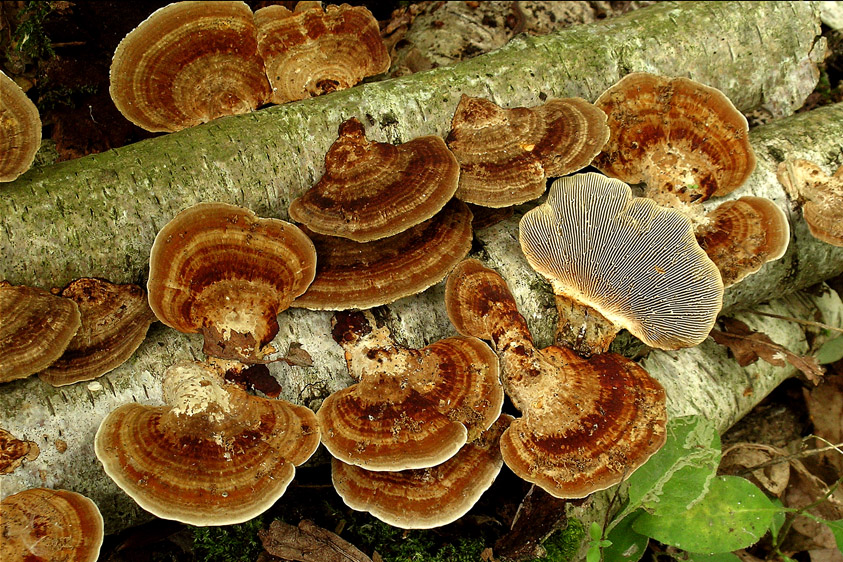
(191, 62)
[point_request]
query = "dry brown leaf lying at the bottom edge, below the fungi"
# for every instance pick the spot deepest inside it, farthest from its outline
(308, 543)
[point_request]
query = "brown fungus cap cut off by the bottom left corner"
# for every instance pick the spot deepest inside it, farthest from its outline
(41, 525)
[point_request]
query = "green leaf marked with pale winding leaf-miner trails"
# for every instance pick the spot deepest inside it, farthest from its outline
(678, 475)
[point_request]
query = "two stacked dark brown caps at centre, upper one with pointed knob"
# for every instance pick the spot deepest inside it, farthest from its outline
(383, 220)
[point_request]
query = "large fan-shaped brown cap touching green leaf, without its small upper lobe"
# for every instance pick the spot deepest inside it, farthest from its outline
(588, 423)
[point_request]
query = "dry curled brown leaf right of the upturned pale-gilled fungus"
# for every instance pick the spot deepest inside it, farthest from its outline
(747, 346)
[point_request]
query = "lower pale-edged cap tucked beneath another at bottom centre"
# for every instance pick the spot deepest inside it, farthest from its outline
(427, 497)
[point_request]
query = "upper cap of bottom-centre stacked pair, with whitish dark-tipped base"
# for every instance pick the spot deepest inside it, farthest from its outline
(412, 408)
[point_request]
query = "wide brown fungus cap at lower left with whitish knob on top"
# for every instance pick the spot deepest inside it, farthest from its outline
(214, 456)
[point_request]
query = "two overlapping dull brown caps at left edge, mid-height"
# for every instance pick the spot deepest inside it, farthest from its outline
(74, 334)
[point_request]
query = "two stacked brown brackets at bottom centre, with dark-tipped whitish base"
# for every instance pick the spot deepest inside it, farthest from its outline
(426, 415)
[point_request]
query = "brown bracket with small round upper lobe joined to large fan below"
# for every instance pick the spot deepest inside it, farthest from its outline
(587, 422)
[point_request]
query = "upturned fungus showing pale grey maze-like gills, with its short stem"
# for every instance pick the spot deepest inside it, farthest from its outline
(616, 261)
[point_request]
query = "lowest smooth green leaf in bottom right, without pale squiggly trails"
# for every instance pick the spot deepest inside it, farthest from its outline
(733, 515)
